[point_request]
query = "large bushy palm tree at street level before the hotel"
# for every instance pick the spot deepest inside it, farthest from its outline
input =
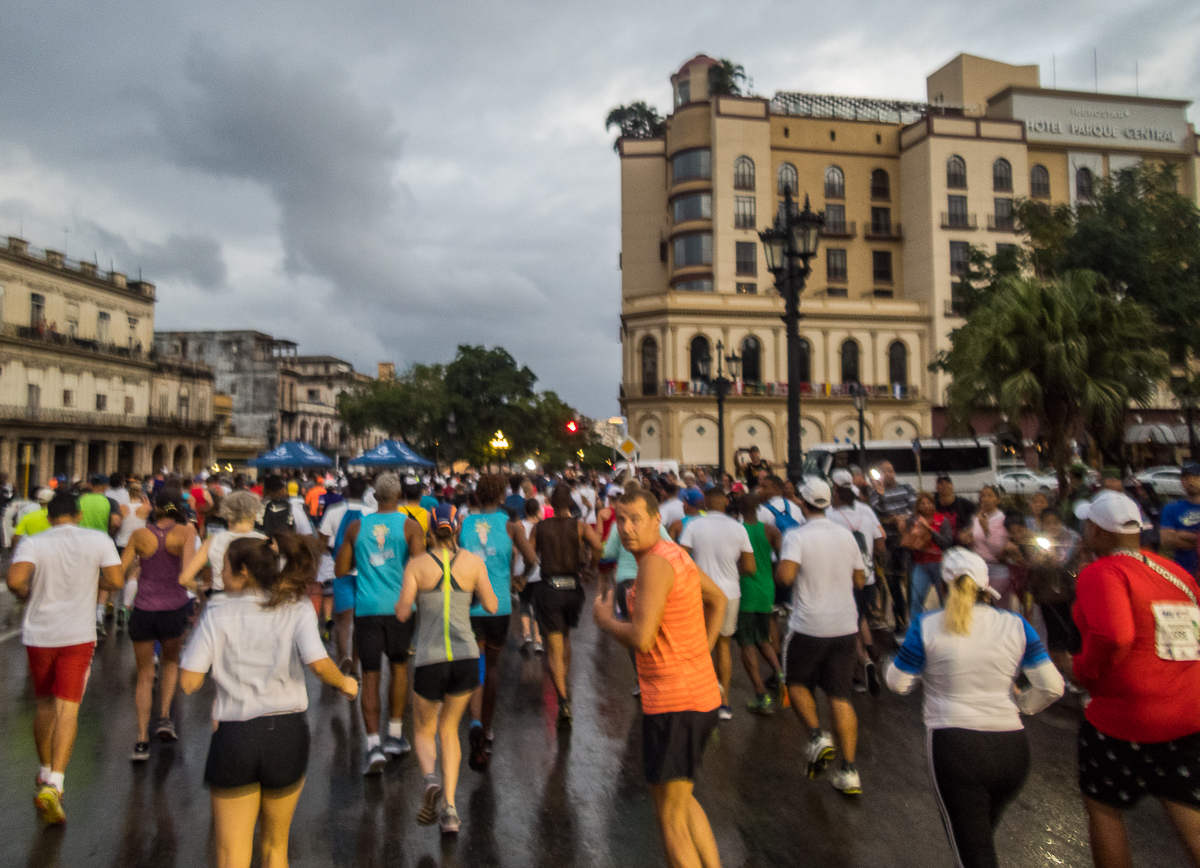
(1072, 357)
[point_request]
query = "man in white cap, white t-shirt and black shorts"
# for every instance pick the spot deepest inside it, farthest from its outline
(824, 565)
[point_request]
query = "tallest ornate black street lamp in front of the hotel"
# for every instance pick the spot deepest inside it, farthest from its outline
(790, 247)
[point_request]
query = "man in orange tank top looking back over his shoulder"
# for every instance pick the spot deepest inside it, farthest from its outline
(676, 614)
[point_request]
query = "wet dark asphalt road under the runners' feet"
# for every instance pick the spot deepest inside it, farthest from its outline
(549, 800)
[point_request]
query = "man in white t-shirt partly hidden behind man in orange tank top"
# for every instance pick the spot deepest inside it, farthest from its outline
(722, 548)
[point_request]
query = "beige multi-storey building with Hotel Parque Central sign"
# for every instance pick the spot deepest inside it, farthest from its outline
(907, 189)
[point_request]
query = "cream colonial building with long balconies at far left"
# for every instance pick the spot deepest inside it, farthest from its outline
(81, 390)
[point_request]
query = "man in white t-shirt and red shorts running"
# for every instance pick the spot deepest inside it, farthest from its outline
(59, 572)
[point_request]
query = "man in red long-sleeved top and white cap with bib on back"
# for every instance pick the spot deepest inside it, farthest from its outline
(1141, 661)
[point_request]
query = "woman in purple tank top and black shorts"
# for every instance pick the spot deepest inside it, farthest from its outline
(161, 612)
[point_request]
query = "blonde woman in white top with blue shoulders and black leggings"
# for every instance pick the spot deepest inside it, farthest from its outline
(969, 656)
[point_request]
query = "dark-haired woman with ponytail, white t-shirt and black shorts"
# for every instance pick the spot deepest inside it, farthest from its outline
(257, 638)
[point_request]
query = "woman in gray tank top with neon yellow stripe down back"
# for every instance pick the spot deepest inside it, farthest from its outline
(442, 583)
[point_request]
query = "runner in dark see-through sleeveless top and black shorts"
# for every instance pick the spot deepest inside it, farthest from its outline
(559, 597)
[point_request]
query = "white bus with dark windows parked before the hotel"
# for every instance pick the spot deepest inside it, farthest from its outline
(970, 463)
